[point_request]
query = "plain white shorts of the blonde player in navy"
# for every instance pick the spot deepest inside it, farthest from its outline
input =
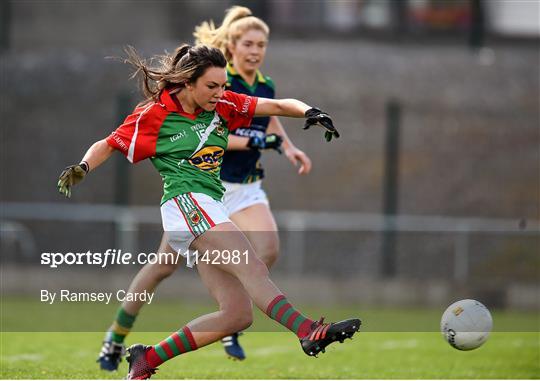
(240, 196)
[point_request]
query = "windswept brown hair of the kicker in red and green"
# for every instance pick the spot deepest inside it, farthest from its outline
(185, 65)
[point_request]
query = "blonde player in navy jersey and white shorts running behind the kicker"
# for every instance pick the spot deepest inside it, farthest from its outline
(243, 39)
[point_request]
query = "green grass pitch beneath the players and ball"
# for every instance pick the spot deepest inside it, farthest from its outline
(373, 354)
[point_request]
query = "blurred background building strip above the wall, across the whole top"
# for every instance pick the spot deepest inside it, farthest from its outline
(25, 23)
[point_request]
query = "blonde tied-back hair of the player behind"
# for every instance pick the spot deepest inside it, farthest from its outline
(238, 20)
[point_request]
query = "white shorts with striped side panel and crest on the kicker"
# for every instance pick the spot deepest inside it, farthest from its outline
(187, 216)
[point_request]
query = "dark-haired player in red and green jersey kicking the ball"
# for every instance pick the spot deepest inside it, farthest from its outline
(186, 96)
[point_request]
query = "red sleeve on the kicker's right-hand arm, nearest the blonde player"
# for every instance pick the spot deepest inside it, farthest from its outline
(237, 109)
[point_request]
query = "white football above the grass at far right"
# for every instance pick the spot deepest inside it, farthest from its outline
(466, 324)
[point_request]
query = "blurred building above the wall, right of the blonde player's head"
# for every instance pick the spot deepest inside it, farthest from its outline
(419, 18)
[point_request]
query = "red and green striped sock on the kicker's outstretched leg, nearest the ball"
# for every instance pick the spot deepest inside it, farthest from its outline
(285, 314)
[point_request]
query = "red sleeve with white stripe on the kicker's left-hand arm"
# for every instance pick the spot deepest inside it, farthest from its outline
(136, 138)
